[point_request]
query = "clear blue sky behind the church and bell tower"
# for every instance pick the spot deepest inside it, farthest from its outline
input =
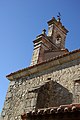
(21, 21)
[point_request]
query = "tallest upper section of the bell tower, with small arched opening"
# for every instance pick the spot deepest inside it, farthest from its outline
(57, 33)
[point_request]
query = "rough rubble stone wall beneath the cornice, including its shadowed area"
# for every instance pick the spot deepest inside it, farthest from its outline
(51, 87)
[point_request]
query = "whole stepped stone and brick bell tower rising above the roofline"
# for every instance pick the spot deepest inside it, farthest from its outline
(51, 45)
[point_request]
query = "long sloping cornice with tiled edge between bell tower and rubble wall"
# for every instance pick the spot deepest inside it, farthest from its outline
(45, 65)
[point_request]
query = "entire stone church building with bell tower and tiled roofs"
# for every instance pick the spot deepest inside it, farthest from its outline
(49, 89)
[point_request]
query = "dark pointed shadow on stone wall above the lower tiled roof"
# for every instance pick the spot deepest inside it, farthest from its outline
(52, 94)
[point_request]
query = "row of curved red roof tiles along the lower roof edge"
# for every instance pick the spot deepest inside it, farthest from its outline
(53, 110)
